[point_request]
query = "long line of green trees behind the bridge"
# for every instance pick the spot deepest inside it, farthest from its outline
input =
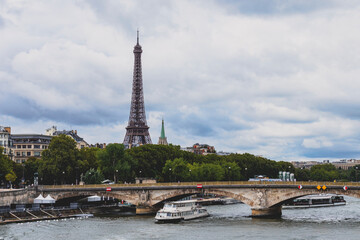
(63, 163)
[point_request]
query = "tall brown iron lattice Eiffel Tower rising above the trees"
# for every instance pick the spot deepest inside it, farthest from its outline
(137, 131)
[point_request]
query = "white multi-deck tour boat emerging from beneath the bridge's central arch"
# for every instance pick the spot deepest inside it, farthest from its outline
(180, 210)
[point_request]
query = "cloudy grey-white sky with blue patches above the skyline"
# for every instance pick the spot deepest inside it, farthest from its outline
(276, 78)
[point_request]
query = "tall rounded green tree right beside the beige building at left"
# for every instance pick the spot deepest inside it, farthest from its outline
(59, 161)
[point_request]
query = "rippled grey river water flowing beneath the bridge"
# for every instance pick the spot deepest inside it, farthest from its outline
(226, 222)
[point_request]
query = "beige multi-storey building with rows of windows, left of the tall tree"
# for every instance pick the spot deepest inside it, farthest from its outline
(29, 145)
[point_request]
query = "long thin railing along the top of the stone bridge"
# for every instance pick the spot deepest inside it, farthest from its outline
(202, 183)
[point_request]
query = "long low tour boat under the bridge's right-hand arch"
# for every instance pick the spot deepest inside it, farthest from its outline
(320, 200)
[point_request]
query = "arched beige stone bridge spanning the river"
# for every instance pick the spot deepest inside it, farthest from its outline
(264, 198)
